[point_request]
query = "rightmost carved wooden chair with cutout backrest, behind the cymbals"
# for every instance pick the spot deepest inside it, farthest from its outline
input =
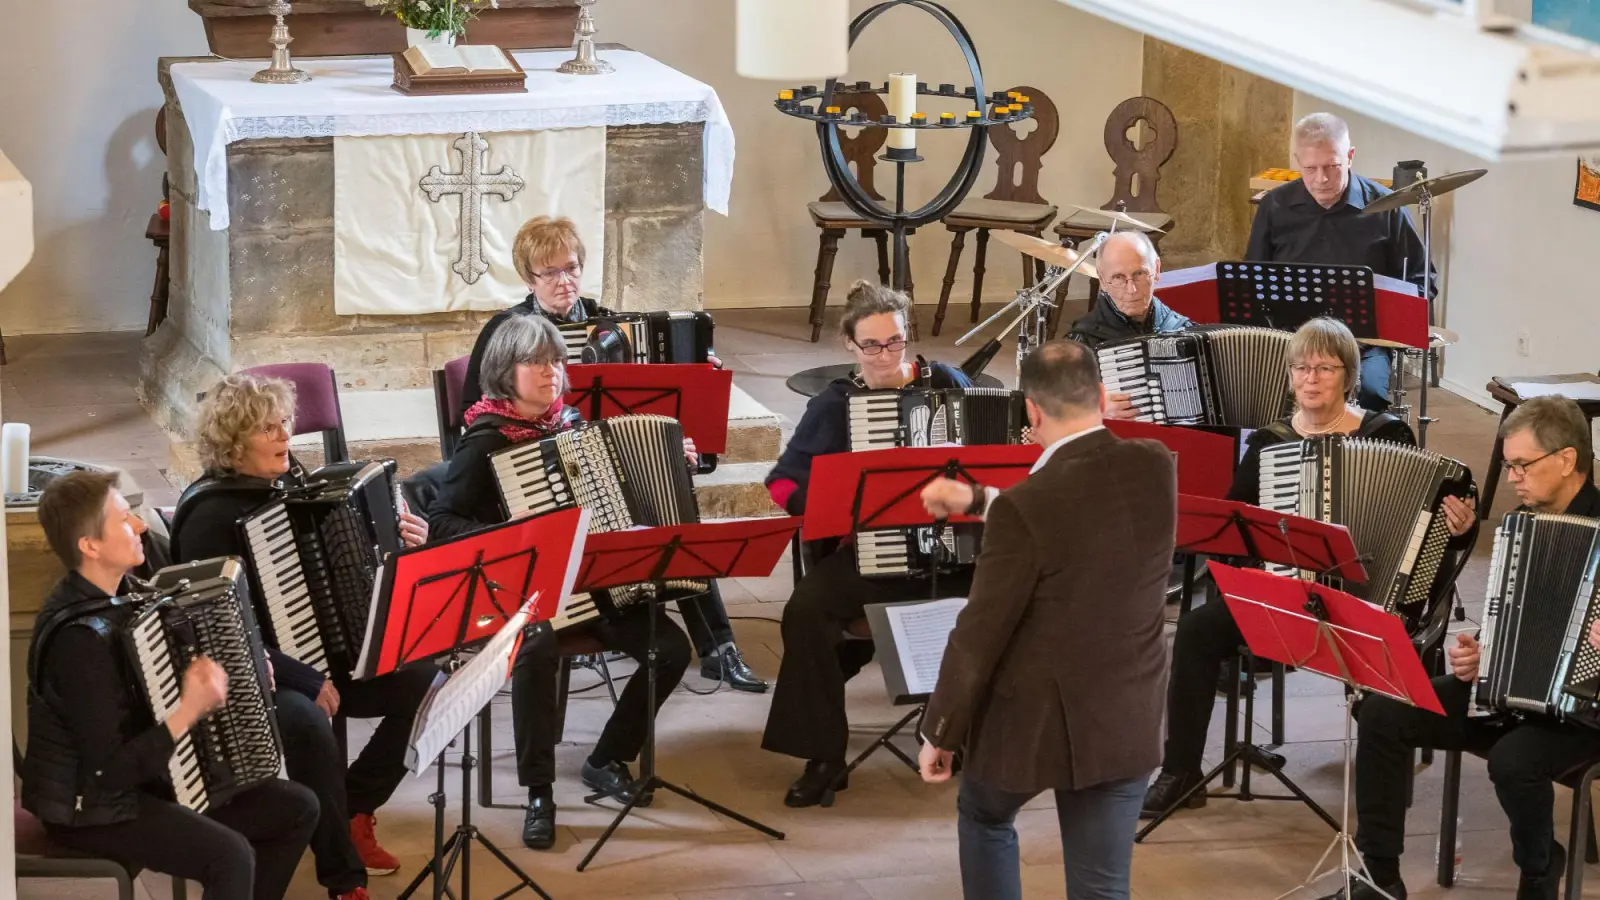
(1138, 171)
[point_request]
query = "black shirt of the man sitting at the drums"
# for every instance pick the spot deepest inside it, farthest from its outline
(1294, 228)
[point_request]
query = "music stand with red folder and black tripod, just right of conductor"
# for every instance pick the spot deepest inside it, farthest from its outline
(1223, 528)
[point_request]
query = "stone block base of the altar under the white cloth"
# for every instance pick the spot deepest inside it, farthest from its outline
(262, 291)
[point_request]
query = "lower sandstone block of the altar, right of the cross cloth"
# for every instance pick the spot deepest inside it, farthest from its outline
(663, 263)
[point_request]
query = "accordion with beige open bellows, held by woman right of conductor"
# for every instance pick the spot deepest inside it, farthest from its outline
(1390, 497)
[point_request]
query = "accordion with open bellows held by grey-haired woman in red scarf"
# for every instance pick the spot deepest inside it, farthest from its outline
(626, 472)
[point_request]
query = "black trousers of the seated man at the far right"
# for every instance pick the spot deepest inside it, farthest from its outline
(1526, 760)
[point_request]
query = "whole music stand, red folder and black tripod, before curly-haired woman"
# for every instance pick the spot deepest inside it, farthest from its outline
(447, 600)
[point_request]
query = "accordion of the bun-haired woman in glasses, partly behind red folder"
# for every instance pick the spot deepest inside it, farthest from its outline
(926, 417)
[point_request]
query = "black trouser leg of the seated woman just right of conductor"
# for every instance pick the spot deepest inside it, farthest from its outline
(1207, 640)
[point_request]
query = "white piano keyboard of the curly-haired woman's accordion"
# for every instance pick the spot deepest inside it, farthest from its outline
(286, 592)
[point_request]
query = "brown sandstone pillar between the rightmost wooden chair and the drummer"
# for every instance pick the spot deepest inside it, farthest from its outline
(1231, 126)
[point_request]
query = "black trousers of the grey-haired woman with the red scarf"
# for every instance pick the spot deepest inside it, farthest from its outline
(535, 681)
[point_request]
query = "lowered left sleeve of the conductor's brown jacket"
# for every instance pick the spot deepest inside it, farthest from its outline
(1002, 589)
